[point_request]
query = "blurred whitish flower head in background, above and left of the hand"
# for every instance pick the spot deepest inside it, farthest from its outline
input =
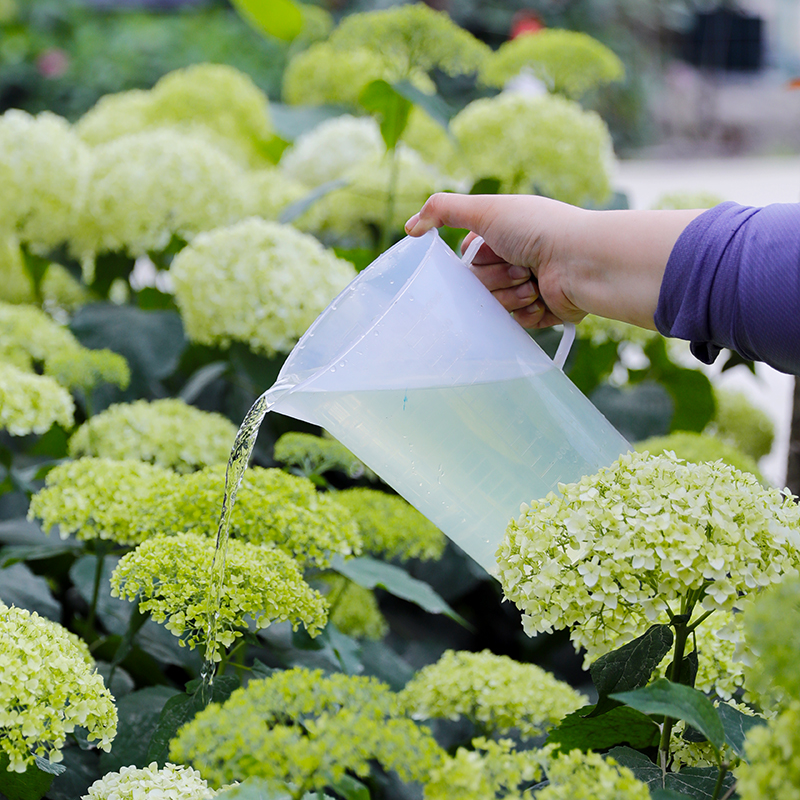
(331, 149)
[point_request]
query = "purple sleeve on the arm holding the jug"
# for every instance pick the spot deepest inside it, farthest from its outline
(733, 280)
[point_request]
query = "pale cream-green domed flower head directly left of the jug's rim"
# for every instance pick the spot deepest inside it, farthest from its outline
(256, 282)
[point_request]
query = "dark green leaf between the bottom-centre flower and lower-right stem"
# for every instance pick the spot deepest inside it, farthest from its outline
(620, 725)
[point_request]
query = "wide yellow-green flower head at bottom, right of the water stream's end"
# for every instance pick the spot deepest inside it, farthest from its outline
(306, 729)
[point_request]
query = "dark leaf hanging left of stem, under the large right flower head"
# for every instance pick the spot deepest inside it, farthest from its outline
(631, 666)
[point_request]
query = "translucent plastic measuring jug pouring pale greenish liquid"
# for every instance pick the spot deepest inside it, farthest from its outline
(419, 371)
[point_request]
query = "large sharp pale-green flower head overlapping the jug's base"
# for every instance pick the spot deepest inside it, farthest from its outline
(642, 540)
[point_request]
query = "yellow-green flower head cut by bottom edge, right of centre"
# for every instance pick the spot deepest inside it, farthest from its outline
(578, 775)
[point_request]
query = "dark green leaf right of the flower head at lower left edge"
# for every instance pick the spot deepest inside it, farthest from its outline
(138, 713)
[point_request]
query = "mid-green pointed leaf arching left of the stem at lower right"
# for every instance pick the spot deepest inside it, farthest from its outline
(680, 702)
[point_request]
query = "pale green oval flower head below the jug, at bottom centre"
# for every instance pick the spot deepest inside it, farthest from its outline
(495, 692)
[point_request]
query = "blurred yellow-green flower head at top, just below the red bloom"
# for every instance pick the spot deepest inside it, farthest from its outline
(567, 62)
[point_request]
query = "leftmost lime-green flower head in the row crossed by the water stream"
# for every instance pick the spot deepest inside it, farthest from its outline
(97, 498)
